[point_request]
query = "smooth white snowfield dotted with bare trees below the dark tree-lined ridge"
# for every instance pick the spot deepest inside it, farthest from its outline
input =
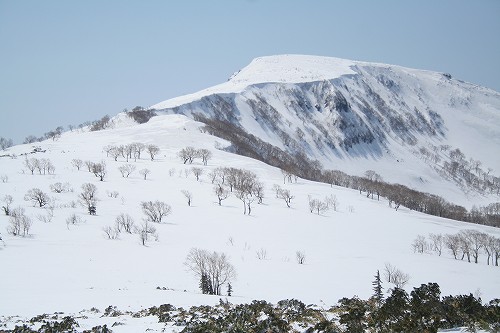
(71, 268)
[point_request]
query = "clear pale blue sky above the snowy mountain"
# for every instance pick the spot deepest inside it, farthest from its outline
(66, 62)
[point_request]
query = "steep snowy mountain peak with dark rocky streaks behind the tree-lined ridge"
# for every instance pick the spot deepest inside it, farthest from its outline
(422, 129)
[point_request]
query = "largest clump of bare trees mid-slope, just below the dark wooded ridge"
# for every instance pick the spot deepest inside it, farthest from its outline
(244, 184)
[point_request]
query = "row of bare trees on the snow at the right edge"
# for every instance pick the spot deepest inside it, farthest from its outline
(467, 244)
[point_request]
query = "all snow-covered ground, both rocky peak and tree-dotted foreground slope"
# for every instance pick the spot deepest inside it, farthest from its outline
(69, 261)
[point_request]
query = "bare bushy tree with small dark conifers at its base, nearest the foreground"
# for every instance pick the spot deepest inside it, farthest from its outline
(213, 269)
